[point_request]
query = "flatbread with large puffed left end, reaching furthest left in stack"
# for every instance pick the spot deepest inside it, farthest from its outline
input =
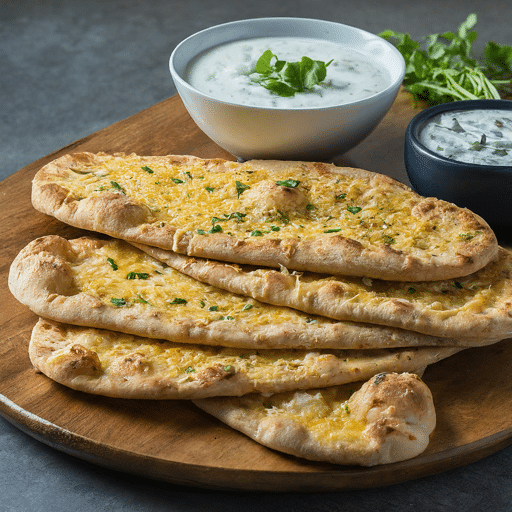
(112, 285)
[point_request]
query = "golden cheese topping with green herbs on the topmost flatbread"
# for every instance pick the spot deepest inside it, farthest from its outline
(296, 203)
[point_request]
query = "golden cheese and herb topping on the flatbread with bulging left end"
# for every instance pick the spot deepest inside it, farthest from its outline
(122, 276)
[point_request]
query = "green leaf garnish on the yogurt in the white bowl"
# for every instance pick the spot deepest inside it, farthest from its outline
(287, 78)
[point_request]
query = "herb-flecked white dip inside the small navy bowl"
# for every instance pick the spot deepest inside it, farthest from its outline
(471, 136)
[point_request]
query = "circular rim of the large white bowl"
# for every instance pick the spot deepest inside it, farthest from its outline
(286, 19)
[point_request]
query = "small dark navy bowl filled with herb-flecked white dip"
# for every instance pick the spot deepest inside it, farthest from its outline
(462, 152)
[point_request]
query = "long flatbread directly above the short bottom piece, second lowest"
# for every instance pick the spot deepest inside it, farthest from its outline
(124, 366)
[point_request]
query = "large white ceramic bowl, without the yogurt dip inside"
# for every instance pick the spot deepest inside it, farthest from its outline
(316, 133)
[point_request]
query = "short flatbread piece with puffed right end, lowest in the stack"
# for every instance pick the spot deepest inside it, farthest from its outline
(389, 419)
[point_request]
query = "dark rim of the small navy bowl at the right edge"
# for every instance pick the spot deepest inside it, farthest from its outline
(420, 120)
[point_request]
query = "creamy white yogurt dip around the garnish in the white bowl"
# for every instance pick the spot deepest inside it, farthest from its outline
(227, 72)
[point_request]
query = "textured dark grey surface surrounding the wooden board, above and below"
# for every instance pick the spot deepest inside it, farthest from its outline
(70, 68)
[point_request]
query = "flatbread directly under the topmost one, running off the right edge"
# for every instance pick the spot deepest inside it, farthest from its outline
(473, 310)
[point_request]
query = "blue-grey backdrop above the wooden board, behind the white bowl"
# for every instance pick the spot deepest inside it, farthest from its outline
(69, 68)
